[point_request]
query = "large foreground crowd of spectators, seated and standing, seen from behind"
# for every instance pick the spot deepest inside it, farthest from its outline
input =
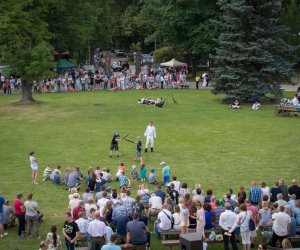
(104, 215)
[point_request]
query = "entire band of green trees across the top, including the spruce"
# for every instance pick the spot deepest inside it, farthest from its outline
(33, 31)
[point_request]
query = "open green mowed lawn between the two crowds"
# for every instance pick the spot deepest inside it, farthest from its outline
(202, 140)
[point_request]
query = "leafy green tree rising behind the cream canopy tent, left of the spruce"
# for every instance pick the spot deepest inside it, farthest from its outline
(183, 25)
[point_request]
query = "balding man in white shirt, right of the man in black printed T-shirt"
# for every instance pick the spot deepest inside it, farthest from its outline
(97, 232)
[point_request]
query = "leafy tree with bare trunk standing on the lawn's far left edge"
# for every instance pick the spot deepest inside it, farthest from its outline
(24, 41)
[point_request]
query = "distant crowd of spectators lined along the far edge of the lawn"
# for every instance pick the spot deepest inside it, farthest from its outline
(79, 80)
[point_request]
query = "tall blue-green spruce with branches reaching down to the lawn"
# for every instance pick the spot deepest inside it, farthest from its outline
(251, 58)
